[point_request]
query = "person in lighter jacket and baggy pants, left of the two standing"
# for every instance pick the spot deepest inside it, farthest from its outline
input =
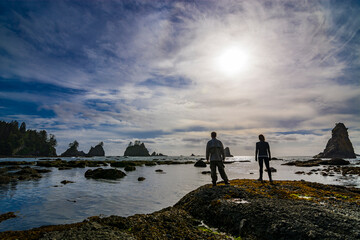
(215, 153)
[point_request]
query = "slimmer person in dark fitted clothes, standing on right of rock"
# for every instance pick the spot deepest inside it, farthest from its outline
(262, 153)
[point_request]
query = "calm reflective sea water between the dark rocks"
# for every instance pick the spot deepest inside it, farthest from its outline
(47, 202)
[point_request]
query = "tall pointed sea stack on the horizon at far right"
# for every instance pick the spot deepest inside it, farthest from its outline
(339, 145)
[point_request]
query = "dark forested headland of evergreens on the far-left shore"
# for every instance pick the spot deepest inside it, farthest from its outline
(19, 141)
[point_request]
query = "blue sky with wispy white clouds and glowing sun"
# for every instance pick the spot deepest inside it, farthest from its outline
(168, 73)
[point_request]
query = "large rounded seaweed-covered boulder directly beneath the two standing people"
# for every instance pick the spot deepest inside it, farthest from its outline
(286, 210)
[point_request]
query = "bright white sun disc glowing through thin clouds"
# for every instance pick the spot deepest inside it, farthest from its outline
(232, 61)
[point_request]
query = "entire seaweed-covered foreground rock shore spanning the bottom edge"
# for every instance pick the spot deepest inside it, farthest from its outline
(247, 209)
